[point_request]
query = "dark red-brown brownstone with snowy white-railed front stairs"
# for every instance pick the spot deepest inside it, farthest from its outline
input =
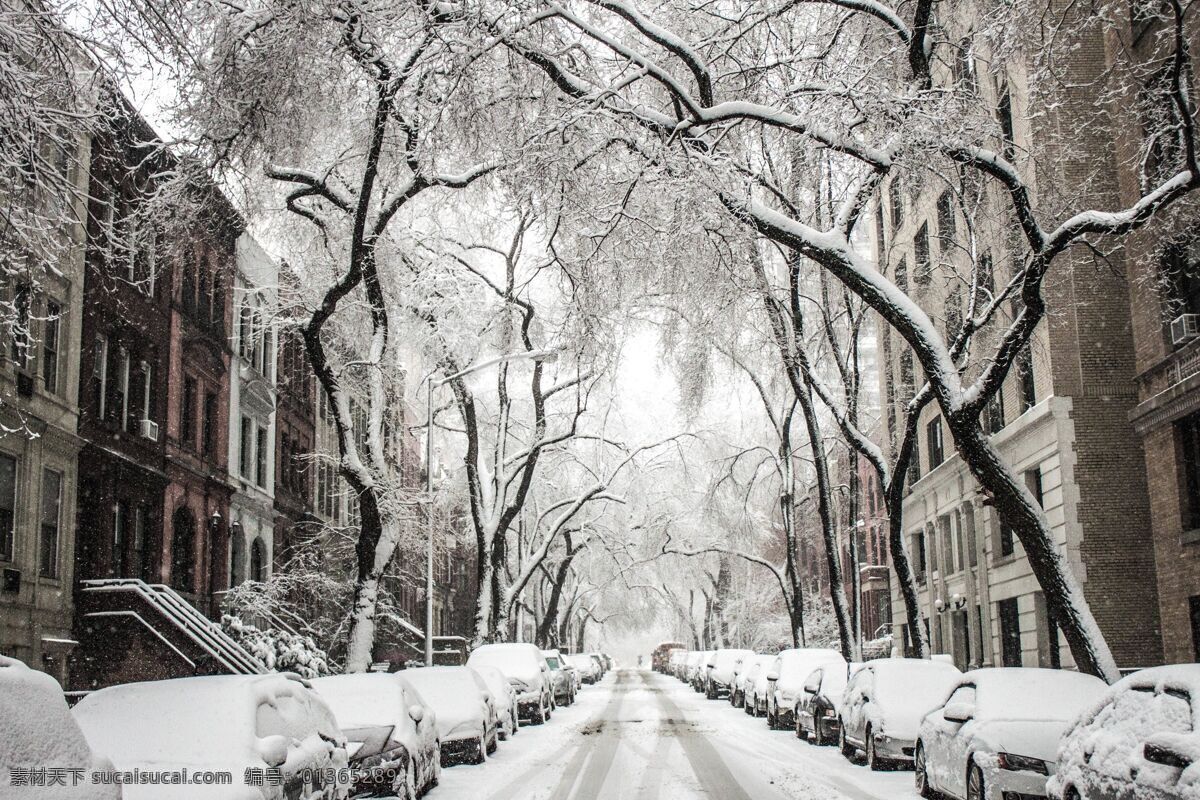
(154, 390)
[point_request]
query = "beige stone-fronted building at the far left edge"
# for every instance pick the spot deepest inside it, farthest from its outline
(39, 411)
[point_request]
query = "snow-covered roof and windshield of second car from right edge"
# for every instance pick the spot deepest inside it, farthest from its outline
(1030, 693)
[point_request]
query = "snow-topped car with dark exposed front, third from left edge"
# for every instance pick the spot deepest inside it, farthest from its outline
(392, 733)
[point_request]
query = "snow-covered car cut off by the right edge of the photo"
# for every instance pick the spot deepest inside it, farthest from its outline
(1141, 741)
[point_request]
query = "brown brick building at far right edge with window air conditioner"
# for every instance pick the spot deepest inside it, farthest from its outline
(1163, 264)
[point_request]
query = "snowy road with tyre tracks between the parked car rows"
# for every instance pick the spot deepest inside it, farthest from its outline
(640, 736)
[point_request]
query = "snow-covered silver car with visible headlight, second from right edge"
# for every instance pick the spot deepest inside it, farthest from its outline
(999, 731)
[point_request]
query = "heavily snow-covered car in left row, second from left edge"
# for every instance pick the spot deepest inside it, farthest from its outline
(241, 725)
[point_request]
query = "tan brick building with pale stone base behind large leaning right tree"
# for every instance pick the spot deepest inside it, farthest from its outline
(1063, 419)
